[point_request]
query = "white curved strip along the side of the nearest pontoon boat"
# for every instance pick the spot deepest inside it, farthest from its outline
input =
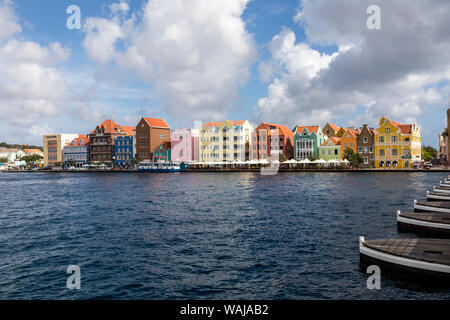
(417, 264)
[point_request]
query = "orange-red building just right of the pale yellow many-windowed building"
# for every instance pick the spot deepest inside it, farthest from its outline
(264, 144)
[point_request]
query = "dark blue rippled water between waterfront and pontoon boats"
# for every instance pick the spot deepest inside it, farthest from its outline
(201, 235)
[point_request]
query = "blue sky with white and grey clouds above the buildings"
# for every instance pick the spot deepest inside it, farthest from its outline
(289, 62)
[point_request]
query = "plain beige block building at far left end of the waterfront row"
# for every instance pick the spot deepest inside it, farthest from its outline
(53, 147)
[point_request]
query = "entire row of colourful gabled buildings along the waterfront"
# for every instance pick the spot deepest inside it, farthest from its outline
(390, 145)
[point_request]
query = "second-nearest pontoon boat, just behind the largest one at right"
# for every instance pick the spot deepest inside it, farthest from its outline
(426, 223)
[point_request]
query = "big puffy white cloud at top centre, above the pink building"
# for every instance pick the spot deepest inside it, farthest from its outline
(194, 53)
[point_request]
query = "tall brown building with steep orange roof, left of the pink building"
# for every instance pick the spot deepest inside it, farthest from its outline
(150, 133)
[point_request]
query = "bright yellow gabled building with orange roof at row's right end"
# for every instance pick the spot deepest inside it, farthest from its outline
(397, 145)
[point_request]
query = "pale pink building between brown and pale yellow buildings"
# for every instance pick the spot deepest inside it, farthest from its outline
(185, 145)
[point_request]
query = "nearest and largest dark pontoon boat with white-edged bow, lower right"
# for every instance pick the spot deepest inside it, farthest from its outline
(421, 258)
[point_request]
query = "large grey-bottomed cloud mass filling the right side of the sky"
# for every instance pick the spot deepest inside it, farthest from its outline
(395, 71)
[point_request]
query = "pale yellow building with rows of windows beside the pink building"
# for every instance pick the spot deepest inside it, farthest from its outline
(225, 141)
